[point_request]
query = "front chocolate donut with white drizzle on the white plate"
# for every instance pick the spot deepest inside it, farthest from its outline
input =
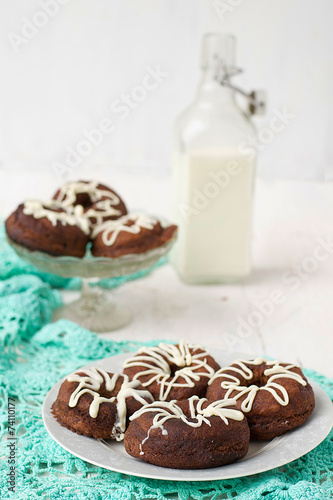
(188, 434)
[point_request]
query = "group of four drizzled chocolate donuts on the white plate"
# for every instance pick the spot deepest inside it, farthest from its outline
(174, 406)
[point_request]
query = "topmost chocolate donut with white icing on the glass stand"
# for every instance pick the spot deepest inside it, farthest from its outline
(96, 201)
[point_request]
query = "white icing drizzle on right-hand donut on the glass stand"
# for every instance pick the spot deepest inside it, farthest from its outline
(112, 228)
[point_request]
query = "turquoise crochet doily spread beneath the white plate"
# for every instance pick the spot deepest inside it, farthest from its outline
(34, 355)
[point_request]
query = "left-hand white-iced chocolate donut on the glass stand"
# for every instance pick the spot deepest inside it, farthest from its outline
(48, 227)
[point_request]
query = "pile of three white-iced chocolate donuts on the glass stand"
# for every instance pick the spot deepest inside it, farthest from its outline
(82, 213)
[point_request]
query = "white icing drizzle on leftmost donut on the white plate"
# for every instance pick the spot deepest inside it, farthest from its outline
(91, 382)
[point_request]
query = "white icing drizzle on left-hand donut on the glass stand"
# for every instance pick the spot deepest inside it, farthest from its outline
(39, 209)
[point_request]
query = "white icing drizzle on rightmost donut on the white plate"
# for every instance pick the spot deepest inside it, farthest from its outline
(275, 370)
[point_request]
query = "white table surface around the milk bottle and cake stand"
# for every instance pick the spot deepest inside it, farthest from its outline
(289, 219)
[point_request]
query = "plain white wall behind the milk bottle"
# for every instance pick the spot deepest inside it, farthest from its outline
(66, 76)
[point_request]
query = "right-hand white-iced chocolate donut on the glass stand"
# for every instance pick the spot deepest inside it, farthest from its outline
(131, 234)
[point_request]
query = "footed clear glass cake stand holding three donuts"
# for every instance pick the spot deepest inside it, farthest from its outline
(94, 309)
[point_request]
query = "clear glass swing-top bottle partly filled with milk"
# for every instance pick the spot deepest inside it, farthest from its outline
(213, 175)
